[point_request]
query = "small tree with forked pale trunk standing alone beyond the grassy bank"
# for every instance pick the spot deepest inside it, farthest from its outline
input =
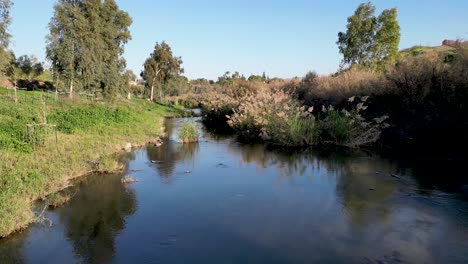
(160, 67)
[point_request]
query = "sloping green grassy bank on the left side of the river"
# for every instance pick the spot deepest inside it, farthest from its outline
(89, 133)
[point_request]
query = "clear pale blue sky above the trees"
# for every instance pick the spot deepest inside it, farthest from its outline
(282, 38)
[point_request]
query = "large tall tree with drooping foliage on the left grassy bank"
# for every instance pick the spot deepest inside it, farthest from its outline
(86, 44)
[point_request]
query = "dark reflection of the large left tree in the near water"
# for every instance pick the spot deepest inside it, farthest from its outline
(96, 215)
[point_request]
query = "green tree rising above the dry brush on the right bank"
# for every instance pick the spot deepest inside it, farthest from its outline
(369, 40)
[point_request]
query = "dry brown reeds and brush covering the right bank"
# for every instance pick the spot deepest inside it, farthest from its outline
(419, 95)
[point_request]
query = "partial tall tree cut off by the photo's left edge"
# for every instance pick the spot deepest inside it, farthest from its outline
(5, 21)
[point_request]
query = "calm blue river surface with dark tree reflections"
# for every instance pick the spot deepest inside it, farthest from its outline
(220, 201)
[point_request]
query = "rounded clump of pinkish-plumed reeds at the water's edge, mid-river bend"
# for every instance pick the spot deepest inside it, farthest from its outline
(273, 115)
